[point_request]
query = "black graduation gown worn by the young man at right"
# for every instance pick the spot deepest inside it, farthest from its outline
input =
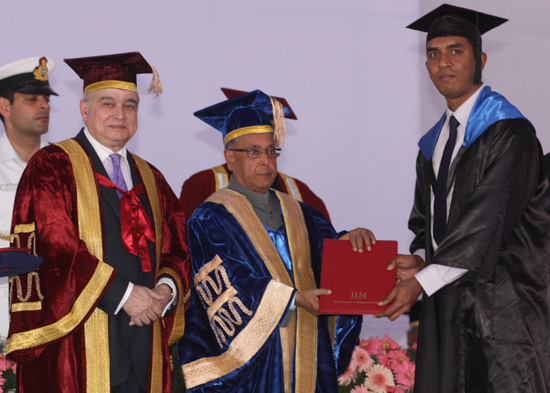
(489, 331)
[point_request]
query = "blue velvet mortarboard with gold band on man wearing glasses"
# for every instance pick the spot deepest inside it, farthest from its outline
(251, 113)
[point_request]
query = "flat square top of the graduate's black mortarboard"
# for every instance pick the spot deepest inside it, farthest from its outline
(483, 22)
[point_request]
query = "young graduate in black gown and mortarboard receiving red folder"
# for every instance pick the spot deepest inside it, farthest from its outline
(481, 219)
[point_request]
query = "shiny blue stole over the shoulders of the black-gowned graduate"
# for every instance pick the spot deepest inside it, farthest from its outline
(489, 108)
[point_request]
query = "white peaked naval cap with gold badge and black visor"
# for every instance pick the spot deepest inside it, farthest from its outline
(29, 76)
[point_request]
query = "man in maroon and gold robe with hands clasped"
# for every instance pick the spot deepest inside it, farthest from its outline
(100, 313)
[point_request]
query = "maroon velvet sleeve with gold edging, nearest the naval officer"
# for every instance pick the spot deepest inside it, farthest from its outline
(45, 216)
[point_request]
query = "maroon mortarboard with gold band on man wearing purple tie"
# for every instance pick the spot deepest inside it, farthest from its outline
(117, 71)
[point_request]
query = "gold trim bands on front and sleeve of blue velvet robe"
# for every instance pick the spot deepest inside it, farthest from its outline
(207, 369)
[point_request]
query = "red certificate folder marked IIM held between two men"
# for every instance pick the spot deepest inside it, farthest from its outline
(358, 280)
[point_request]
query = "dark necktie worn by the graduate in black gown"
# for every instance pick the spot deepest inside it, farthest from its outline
(440, 188)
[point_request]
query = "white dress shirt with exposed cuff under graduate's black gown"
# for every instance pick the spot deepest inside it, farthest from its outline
(435, 277)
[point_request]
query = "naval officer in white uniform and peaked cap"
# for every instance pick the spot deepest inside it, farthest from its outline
(25, 112)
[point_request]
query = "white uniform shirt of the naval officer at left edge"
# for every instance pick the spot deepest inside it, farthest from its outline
(11, 169)
